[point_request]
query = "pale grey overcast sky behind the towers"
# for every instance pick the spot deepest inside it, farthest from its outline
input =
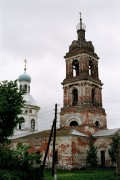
(41, 32)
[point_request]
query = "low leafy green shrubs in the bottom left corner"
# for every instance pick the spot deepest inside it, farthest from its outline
(18, 164)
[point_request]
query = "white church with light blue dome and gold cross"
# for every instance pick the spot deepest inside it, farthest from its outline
(30, 111)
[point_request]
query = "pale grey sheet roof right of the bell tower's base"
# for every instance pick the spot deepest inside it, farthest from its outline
(106, 132)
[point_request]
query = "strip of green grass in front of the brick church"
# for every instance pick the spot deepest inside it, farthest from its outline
(88, 174)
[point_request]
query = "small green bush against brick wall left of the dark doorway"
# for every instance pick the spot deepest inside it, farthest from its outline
(92, 155)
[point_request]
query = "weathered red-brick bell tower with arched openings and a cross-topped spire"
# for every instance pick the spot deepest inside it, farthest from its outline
(82, 88)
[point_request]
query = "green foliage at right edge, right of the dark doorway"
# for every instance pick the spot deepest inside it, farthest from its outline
(114, 147)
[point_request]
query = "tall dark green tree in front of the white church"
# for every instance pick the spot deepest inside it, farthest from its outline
(11, 102)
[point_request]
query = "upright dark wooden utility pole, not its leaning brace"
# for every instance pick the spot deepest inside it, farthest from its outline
(54, 161)
